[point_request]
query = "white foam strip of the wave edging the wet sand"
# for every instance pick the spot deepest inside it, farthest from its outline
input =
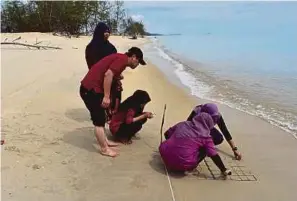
(203, 90)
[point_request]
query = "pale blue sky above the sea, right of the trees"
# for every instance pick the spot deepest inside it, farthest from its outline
(170, 16)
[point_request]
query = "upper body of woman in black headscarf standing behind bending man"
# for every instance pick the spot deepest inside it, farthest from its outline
(99, 47)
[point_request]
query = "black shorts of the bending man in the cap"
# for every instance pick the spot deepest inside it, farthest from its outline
(93, 102)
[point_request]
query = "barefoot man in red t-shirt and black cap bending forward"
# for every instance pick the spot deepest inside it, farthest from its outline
(95, 90)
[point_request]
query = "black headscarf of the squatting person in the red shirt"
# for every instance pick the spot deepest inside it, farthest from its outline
(135, 101)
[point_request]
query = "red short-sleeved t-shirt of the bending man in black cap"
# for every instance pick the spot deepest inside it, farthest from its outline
(94, 79)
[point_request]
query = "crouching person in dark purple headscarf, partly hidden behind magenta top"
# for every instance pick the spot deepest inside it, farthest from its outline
(216, 135)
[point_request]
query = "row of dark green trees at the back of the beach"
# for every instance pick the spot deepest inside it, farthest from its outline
(67, 17)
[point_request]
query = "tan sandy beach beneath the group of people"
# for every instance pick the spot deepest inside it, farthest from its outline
(50, 151)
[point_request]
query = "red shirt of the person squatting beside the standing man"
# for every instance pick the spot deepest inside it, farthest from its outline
(119, 118)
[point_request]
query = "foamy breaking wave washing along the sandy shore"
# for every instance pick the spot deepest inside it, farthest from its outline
(208, 90)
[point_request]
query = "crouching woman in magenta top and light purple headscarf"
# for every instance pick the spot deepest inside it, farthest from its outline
(180, 150)
